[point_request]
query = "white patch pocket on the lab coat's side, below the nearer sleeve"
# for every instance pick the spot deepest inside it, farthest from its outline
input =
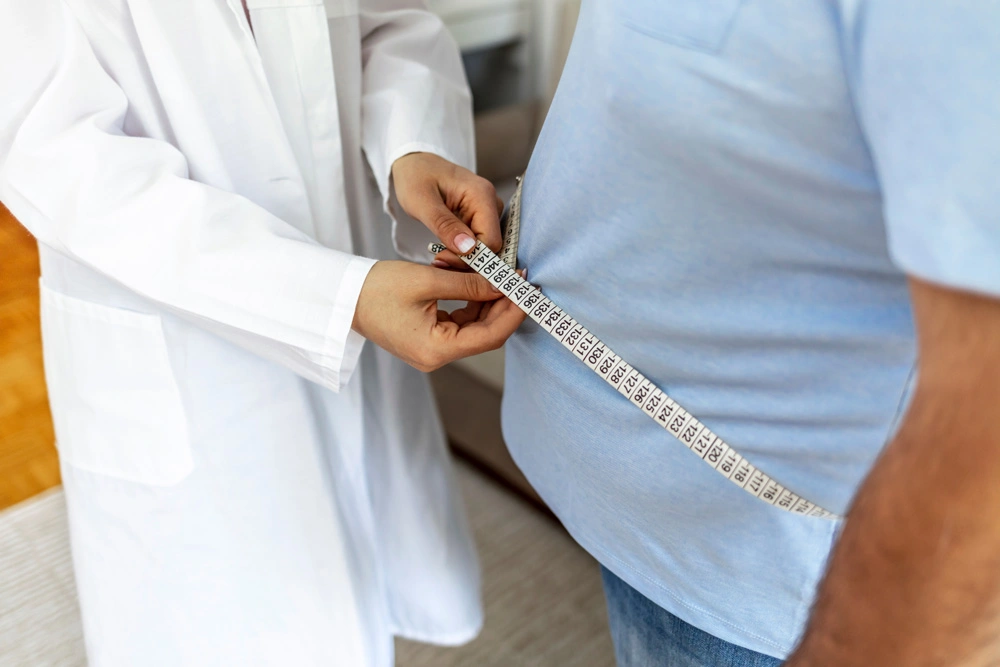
(115, 402)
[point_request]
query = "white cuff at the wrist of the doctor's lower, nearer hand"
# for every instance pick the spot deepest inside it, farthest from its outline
(343, 344)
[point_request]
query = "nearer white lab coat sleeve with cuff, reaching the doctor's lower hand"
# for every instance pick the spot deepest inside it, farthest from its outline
(125, 206)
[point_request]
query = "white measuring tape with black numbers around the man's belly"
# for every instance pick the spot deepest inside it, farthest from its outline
(629, 382)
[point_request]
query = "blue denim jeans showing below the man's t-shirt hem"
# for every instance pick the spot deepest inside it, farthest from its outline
(646, 635)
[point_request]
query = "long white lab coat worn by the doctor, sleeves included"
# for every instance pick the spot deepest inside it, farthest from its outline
(205, 200)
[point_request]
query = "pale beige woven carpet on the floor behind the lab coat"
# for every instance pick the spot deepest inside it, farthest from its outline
(544, 605)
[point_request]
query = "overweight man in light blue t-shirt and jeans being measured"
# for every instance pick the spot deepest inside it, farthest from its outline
(786, 213)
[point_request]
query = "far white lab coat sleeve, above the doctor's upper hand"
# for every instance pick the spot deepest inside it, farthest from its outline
(415, 99)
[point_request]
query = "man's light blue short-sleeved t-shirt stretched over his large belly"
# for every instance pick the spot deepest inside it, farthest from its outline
(730, 193)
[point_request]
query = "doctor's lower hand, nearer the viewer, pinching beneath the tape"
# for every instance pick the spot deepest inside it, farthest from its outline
(398, 311)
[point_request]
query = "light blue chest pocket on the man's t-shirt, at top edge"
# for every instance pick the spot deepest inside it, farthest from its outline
(696, 24)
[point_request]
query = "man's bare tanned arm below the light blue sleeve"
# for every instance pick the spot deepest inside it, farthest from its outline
(915, 579)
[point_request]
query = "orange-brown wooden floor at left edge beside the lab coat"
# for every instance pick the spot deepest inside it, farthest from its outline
(28, 463)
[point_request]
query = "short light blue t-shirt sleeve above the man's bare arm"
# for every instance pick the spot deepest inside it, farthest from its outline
(926, 78)
